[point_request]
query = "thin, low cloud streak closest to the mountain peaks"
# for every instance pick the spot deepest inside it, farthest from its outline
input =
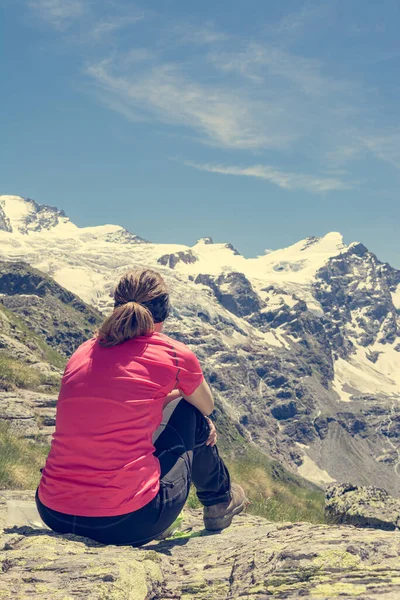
(284, 179)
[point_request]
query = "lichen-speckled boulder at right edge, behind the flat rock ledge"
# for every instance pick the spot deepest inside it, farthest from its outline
(362, 506)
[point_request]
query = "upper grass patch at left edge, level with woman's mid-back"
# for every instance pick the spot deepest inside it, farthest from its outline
(15, 374)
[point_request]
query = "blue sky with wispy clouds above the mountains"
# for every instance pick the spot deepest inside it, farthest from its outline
(258, 123)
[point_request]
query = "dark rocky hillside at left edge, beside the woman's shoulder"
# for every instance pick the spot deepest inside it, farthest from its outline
(41, 324)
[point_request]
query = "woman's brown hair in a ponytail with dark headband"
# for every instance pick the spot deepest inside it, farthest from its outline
(140, 300)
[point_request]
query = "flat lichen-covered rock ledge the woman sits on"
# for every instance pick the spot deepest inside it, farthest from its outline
(253, 559)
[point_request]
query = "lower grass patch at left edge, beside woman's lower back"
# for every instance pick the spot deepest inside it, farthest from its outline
(20, 461)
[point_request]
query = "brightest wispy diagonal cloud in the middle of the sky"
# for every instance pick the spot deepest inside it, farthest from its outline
(216, 114)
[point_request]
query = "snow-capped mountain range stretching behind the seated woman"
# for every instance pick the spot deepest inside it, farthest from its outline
(301, 345)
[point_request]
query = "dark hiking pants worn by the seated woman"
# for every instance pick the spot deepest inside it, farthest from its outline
(184, 458)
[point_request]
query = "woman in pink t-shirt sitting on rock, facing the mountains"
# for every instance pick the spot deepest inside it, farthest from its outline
(132, 430)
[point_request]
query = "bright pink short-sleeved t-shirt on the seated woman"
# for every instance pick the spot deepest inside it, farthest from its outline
(101, 461)
